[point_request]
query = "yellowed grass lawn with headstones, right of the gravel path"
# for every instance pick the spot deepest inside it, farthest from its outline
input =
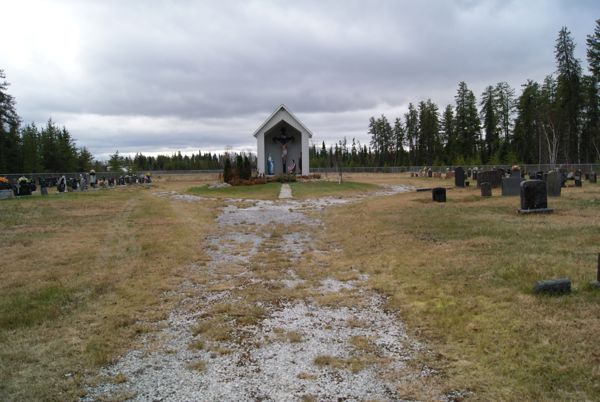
(461, 275)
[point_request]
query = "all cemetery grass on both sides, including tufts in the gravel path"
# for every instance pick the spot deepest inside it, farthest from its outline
(83, 274)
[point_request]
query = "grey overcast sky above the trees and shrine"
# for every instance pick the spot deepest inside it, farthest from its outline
(162, 76)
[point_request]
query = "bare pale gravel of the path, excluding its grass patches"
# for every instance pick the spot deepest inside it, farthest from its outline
(267, 364)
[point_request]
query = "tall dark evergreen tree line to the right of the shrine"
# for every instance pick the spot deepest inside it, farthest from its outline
(555, 121)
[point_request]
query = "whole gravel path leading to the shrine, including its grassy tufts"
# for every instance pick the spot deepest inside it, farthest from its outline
(267, 322)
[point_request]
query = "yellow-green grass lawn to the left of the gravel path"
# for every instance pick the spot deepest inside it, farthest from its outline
(82, 275)
